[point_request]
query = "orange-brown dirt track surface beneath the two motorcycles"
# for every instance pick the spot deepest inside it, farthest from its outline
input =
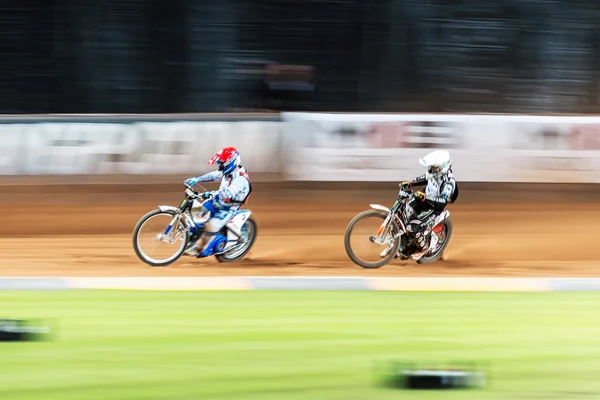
(300, 233)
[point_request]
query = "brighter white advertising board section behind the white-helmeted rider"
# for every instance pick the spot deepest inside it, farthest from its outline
(484, 148)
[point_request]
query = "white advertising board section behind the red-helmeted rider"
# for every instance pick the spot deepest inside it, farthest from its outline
(134, 148)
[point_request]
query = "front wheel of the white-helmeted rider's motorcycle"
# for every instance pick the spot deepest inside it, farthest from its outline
(389, 247)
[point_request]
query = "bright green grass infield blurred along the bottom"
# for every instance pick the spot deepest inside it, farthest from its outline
(297, 345)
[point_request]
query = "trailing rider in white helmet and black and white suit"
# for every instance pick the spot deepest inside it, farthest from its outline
(441, 189)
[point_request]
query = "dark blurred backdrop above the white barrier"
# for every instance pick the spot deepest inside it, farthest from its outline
(157, 56)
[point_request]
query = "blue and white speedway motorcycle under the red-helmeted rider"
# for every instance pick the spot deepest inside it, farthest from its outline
(178, 231)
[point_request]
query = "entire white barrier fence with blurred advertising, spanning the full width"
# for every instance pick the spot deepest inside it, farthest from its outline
(305, 146)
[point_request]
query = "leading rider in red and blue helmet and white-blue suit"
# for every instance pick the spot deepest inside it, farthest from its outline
(233, 192)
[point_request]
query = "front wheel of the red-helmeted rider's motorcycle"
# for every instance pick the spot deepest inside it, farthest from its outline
(155, 243)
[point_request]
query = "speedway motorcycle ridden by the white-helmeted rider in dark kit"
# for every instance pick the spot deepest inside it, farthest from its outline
(392, 233)
